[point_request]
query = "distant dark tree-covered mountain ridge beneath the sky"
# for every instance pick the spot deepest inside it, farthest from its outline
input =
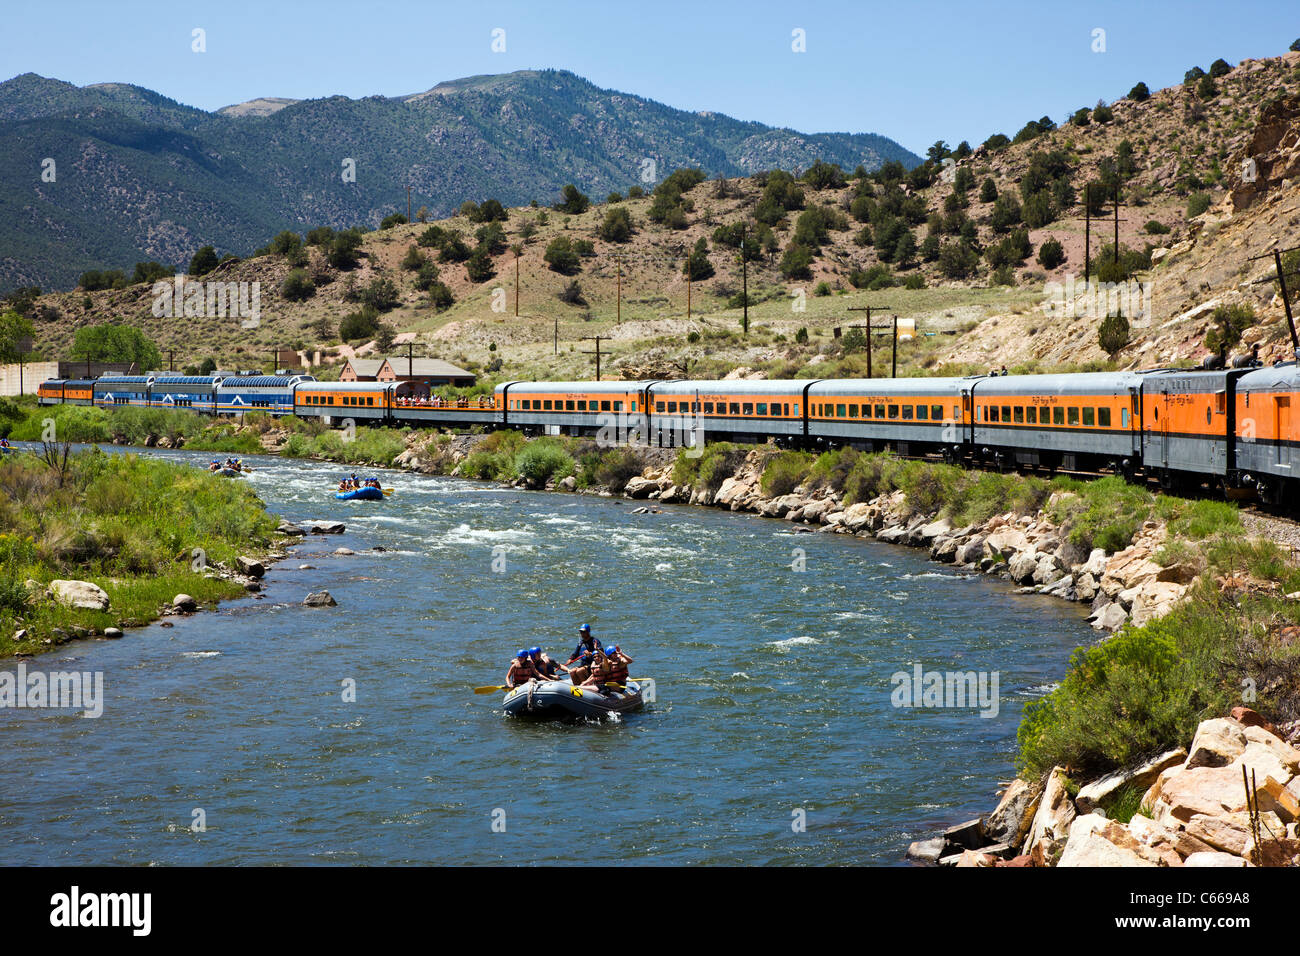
(142, 178)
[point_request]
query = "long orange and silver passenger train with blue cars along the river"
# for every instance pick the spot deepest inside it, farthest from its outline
(1228, 429)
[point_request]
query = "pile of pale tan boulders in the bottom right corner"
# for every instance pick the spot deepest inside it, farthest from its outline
(1230, 799)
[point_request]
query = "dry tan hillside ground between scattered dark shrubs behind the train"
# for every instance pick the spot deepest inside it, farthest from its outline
(1182, 144)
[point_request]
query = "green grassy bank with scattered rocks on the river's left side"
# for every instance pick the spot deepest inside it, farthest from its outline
(93, 543)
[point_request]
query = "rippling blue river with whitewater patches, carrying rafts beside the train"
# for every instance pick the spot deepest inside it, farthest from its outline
(820, 699)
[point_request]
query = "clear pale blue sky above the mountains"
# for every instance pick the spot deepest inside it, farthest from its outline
(912, 72)
